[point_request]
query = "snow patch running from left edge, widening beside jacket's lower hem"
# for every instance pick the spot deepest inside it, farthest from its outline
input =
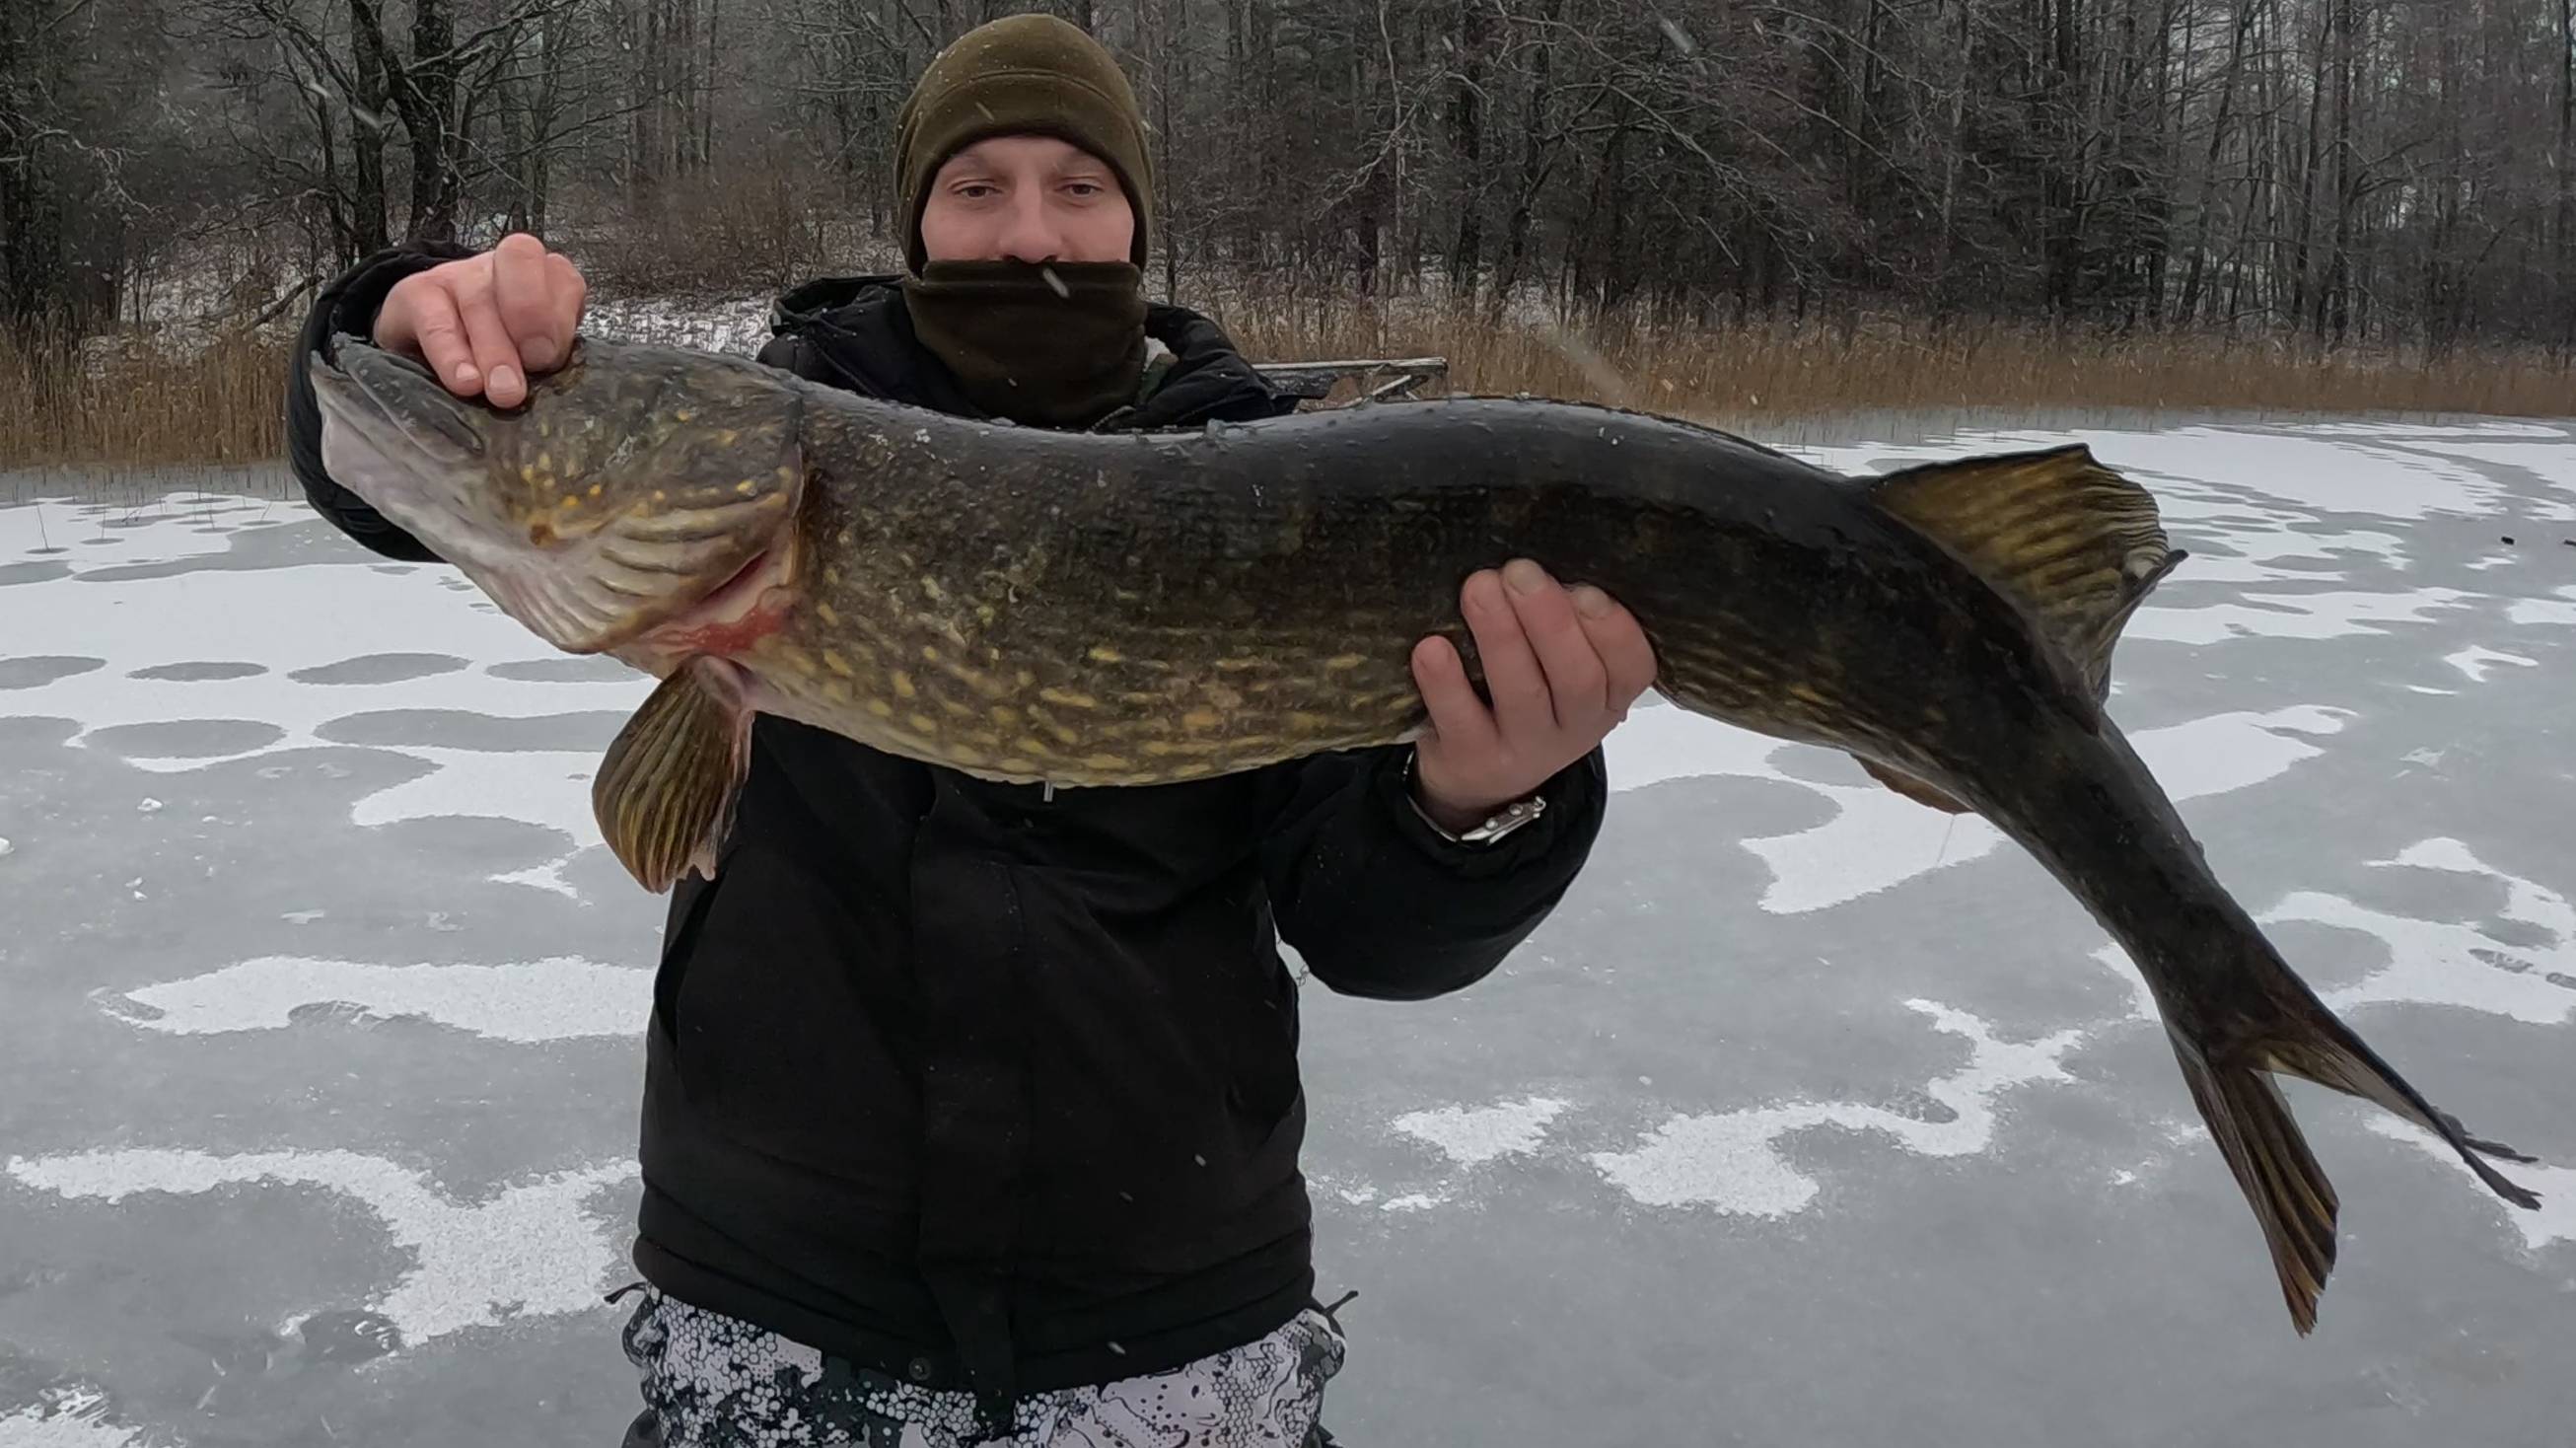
(529, 1251)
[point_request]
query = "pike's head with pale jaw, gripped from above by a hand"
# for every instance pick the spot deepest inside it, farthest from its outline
(630, 491)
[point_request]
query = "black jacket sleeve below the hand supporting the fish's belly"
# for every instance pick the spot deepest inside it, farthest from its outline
(1382, 906)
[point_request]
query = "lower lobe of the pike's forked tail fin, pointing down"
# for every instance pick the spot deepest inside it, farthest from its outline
(2294, 1202)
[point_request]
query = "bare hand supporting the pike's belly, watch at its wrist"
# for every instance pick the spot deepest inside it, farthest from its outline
(1562, 669)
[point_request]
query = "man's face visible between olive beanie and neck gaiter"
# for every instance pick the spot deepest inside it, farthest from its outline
(1027, 200)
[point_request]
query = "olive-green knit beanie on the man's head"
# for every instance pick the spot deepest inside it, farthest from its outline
(1021, 76)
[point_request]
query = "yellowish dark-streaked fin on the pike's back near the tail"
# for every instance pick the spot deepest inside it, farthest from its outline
(2067, 540)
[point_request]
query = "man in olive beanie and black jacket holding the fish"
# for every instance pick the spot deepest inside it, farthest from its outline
(972, 1112)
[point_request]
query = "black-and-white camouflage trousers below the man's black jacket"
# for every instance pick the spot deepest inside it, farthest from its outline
(717, 1382)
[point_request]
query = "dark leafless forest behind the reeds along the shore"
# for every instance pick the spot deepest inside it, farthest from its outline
(2320, 179)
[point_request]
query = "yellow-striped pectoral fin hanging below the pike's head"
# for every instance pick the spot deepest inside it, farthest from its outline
(666, 792)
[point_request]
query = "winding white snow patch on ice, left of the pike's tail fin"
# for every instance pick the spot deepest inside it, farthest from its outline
(1732, 1161)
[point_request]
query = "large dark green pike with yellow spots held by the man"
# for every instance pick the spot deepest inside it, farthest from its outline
(1142, 609)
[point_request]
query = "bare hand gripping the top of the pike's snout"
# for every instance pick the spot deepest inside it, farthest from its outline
(488, 321)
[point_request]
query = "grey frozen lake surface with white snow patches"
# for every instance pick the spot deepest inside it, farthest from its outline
(1812, 1117)
